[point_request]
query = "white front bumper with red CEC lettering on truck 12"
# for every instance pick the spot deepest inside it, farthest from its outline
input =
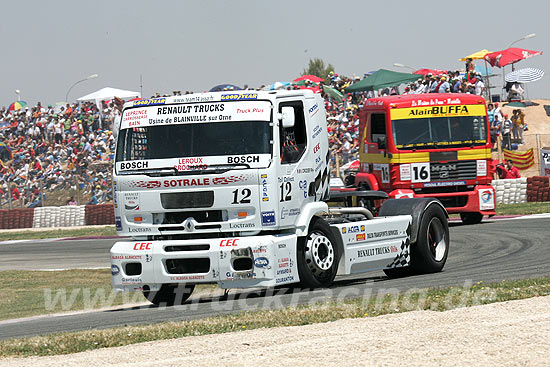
(239, 262)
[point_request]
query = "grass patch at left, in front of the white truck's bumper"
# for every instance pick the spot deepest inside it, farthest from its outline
(31, 293)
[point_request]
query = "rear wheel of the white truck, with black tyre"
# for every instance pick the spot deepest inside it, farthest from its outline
(429, 253)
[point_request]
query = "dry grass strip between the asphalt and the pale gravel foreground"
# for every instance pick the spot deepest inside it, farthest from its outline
(385, 303)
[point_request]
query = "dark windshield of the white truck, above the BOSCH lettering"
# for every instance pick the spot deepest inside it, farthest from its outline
(195, 140)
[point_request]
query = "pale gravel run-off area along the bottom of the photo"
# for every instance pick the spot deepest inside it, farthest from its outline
(499, 334)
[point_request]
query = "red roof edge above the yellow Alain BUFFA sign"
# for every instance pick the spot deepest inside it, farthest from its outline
(428, 99)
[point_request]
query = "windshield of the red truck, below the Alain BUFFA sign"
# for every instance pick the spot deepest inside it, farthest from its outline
(436, 131)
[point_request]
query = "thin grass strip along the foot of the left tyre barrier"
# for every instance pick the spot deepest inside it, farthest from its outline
(58, 233)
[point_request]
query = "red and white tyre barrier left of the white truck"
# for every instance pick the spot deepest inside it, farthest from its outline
(57, 216)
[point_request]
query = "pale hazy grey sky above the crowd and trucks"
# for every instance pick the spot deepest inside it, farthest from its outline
(194, 45)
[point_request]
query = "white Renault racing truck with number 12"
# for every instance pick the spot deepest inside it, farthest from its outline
(232, 188)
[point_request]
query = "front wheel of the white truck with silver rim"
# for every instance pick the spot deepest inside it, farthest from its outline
(317, 255)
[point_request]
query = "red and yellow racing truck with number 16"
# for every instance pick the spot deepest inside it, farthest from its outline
(429, 145)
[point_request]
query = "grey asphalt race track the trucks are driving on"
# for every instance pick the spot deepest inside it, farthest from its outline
(490, 251)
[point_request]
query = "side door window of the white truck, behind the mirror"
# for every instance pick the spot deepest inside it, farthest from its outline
(293, 140)
